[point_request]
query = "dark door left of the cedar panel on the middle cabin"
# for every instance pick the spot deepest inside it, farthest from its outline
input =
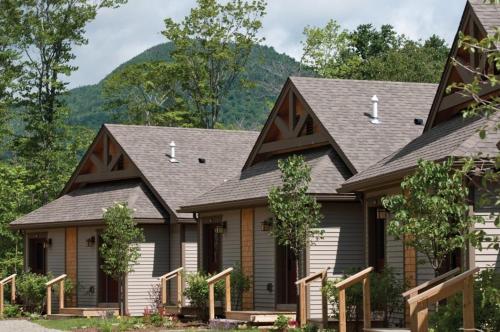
(212, 248)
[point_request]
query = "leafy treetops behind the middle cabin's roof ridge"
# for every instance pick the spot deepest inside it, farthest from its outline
(368, 54)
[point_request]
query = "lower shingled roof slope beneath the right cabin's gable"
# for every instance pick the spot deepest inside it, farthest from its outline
(457, 137)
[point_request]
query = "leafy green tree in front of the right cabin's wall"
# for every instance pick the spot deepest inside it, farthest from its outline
(432, 213)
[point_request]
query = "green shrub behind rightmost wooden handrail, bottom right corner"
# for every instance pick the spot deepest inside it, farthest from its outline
(486, 306)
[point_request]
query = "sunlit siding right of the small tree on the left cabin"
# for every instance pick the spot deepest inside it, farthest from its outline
(151, 265)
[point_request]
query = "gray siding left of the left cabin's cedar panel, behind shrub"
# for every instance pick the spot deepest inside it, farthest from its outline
(56, 259)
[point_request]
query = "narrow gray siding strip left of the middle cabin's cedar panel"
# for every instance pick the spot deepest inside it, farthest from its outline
(231, 253)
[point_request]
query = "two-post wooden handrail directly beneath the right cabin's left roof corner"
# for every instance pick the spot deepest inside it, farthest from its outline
(363, 277)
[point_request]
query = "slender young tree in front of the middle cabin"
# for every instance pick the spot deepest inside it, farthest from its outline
(296, 214)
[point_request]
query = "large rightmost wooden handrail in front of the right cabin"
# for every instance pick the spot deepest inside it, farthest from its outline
(419, 304)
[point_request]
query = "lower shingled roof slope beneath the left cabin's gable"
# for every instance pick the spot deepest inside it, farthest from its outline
(87, 204)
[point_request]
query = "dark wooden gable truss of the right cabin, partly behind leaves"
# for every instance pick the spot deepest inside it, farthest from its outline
(448, 104)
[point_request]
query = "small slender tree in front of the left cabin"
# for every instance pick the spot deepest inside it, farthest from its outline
(120, 245)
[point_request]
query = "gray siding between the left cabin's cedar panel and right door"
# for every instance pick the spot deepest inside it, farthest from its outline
(87, 268)
